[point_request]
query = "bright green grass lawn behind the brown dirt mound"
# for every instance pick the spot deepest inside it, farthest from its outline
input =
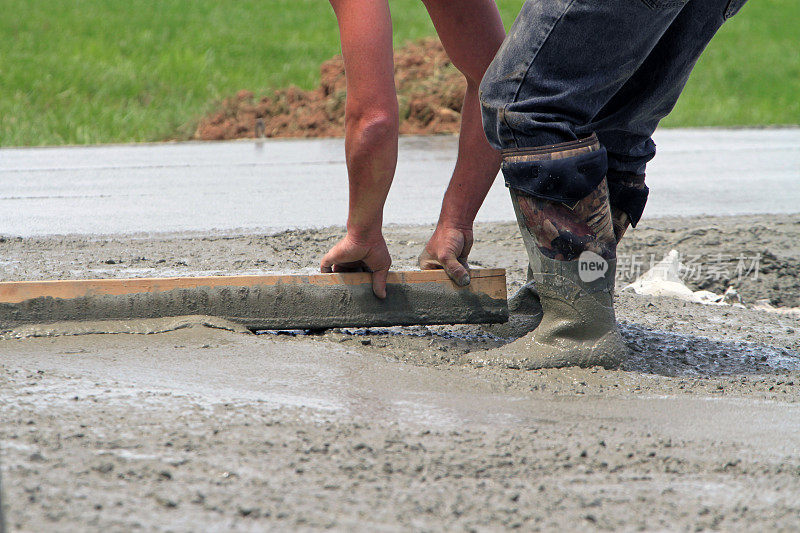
(99, 71)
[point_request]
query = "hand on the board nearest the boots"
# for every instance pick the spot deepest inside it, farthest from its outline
(448, 249)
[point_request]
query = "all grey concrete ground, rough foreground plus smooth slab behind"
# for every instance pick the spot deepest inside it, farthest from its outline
(187, 428)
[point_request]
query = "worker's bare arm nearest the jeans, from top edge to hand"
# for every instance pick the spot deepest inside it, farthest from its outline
(471, 32)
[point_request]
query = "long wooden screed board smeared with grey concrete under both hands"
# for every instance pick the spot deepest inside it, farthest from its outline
(264, 302)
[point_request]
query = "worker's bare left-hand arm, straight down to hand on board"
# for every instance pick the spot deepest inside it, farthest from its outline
(371, 131)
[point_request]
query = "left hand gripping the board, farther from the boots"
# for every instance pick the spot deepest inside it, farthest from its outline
(366, 254)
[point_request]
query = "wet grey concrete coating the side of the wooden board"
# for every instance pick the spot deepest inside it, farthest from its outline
(279, 306)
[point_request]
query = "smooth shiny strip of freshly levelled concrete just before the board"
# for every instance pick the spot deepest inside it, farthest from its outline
(346, 384)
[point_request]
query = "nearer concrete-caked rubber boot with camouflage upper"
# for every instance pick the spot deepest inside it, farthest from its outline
(572, 255)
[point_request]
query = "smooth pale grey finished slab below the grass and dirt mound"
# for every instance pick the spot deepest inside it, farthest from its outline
(281, 184)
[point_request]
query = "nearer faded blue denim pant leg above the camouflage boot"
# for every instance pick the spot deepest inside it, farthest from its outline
(562, 62)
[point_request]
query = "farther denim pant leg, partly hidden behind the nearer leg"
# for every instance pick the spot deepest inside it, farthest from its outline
(625, 124)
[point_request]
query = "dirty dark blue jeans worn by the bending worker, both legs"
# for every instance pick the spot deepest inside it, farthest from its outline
(570, 68)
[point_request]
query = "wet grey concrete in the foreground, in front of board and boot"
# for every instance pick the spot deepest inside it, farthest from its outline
(206, 429)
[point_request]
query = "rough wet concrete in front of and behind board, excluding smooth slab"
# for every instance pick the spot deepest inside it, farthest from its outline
(200, 428)
